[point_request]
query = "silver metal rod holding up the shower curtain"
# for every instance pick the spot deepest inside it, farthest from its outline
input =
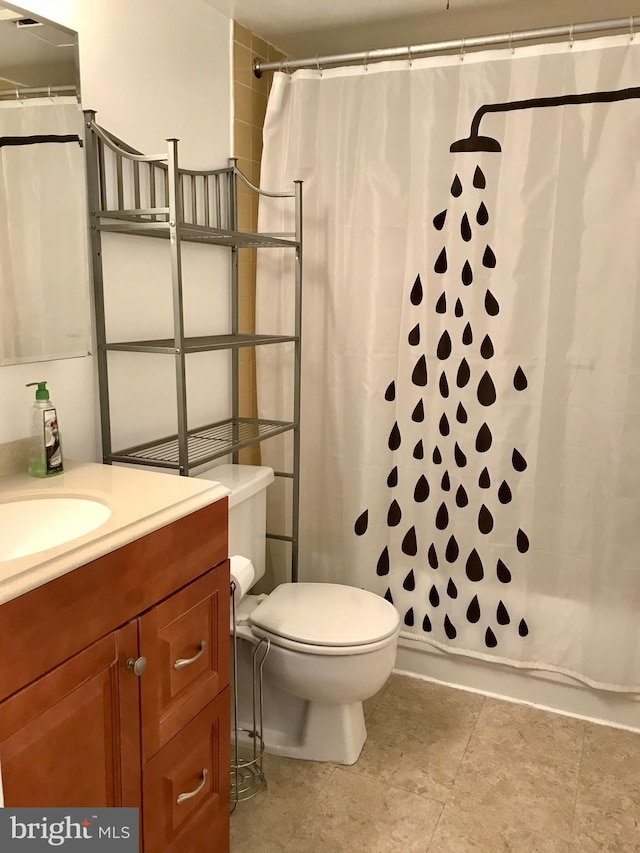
(418, 50)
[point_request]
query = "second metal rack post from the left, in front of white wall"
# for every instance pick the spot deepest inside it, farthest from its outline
(175, 217)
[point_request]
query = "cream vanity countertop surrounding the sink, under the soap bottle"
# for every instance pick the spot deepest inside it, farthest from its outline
(140, 502)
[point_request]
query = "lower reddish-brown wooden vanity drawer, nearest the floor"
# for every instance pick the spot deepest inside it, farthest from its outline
(186, 808)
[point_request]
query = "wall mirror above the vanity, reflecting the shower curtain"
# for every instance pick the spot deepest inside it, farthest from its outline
(44, 273)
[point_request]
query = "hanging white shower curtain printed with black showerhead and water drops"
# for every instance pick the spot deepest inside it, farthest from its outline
(470, 427)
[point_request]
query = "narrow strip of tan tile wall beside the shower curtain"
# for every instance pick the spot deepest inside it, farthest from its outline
(250, 104)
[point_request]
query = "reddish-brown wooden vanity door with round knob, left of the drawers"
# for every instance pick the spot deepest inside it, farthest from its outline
(72, 738)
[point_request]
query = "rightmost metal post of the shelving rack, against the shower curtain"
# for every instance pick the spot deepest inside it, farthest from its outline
(295, 497)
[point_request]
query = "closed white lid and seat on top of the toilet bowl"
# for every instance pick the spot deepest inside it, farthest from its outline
(326, 614)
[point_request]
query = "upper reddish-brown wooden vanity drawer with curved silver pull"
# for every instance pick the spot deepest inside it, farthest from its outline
(186, 642)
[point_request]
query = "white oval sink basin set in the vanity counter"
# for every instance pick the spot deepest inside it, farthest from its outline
(37, 524)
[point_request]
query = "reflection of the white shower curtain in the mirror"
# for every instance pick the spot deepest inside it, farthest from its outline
(44, 271)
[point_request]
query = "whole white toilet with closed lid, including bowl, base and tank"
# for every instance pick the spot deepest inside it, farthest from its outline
(331, 646)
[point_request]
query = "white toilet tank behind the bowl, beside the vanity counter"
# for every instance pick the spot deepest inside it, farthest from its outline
(247, 509)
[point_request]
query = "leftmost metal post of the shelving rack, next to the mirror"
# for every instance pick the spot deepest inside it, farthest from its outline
(94, 184)
